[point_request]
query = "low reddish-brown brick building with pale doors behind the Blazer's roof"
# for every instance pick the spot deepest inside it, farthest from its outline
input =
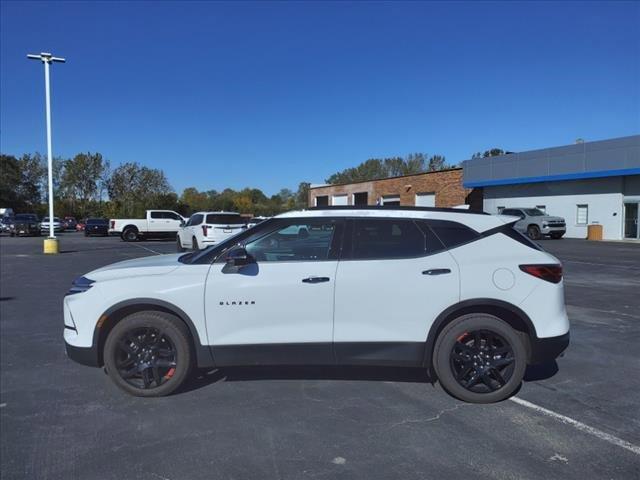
(440, 189)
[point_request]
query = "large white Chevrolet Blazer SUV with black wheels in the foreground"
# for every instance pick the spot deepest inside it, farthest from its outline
(458, 293)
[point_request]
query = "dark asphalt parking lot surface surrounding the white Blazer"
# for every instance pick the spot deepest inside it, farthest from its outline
(577, 418)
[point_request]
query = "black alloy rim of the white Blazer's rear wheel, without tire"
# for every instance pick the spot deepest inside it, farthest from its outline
(482, 361)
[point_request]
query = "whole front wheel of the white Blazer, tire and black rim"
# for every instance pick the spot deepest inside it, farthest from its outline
(151, 334)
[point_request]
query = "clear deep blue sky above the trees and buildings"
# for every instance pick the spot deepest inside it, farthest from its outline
(270, 94)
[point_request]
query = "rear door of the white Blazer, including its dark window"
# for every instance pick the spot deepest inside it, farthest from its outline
(394, 278)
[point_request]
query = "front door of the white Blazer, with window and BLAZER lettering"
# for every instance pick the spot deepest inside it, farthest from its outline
(278, 309)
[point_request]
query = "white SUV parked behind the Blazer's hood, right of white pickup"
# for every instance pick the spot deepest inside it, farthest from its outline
(208, 228)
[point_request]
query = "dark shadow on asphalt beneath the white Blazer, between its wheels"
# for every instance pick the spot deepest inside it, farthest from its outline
(351, 373)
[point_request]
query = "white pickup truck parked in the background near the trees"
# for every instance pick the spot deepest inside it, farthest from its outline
(158, 224)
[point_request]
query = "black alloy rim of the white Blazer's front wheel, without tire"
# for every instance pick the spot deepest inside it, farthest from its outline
(145, 357)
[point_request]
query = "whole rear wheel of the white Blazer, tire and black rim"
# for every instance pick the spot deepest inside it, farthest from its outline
(493, 379)
